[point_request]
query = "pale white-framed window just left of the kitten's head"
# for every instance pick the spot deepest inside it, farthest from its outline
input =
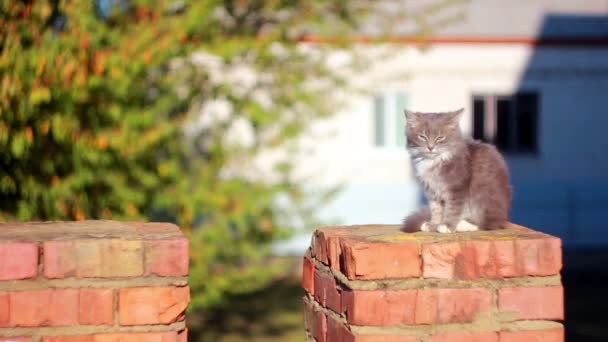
(389, 119)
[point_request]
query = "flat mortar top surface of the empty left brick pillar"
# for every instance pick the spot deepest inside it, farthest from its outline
(59, 230)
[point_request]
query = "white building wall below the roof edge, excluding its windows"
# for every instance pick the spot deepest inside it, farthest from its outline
(571, 82)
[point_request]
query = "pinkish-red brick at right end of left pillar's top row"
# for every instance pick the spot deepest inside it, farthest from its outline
(167, 257)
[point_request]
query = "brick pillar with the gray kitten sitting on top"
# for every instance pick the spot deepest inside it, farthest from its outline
(374, 283)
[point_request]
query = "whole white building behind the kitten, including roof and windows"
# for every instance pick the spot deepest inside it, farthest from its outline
(533, 78)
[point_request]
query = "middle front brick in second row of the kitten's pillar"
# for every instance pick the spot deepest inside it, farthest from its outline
(451, 305)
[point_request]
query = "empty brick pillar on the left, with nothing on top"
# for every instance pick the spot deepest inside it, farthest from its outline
(93, 281)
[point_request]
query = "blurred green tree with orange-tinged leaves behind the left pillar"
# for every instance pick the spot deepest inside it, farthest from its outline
(141, 109)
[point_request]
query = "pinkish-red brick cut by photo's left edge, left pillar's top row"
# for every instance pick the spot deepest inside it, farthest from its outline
(19, 260)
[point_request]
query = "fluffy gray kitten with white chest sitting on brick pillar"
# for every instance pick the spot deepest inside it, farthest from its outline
(466, 182)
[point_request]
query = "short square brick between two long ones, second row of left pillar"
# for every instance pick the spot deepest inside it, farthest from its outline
(96, 306)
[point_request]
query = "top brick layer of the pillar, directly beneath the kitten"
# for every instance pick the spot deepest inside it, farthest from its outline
(368, 252)
